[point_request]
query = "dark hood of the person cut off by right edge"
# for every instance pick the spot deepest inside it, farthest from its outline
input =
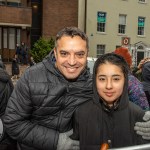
(146, 76)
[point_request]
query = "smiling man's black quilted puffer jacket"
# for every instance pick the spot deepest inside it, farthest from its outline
(42, 104)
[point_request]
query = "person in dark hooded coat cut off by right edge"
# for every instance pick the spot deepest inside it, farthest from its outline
(146, 79)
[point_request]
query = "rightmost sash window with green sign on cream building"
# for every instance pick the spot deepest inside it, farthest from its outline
(141, 23)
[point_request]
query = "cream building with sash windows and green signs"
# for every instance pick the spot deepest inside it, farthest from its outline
(111, 24)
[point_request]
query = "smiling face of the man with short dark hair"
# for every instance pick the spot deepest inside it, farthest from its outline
(71, 56)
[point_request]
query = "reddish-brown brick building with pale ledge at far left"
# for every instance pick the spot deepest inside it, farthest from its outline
(15, 24)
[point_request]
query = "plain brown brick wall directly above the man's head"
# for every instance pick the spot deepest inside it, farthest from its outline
(58, 14)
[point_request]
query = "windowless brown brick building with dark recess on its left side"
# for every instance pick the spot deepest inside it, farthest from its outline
(49, 16)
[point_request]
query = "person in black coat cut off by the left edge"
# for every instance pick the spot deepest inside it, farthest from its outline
(6, 88)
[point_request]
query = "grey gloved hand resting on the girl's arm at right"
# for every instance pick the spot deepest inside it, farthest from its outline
(143, 128)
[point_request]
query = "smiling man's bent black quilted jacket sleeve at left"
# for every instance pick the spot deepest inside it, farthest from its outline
(17, 120)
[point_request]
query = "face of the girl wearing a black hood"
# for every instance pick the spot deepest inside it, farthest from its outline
(109, 82)
